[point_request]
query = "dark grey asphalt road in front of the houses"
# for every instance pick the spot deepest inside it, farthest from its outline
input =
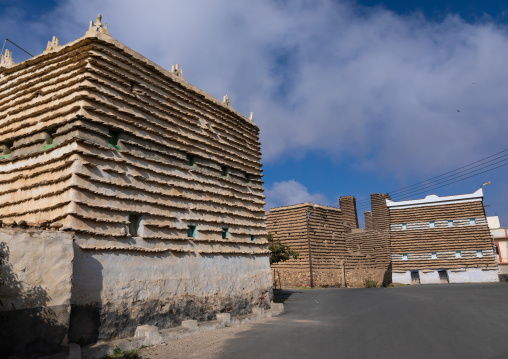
(428, 321)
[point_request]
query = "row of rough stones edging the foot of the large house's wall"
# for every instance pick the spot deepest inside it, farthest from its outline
(147, 335)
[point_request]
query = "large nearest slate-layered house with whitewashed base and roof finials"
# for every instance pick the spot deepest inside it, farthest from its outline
(128, 197)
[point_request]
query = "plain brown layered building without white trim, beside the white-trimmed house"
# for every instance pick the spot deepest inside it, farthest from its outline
(333, 251)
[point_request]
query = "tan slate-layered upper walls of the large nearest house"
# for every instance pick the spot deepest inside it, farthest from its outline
(95, 87)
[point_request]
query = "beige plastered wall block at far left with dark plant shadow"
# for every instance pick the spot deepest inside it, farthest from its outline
(36, 293)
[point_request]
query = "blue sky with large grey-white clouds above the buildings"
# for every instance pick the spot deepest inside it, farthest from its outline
(352, 97)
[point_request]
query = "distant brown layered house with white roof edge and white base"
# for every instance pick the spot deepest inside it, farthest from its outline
(441, 240)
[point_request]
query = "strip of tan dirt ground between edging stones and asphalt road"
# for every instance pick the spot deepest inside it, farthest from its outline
(206, 345)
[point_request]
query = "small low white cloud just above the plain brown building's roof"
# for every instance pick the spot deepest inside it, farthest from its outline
(290, 192)
